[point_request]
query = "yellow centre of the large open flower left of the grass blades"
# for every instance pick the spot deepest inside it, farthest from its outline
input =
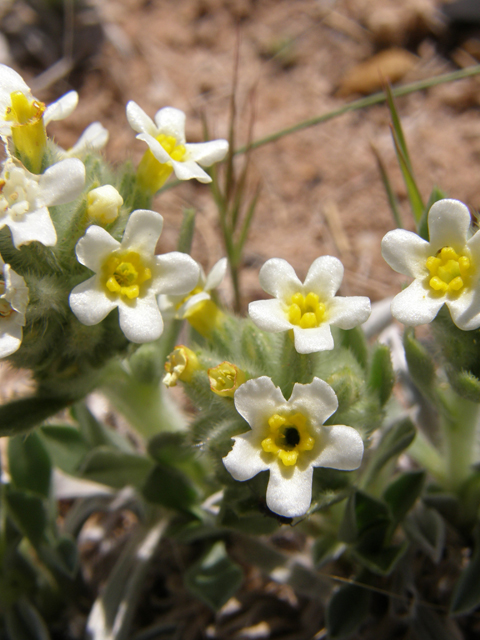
(124, 273)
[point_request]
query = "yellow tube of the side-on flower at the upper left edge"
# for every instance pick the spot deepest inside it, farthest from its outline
(28, 129)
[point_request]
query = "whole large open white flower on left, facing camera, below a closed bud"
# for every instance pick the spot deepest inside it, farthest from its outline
(129, 276)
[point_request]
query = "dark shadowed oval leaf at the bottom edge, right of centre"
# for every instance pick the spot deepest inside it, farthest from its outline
(347, 610)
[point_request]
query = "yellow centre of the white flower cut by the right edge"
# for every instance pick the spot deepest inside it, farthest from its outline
(449, 271)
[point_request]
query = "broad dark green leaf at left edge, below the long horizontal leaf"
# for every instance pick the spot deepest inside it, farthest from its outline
(29, 464)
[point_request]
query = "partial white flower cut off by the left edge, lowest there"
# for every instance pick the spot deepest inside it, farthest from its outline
(13, 305)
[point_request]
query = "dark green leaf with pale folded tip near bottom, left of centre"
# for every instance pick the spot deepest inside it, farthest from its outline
(214, 579)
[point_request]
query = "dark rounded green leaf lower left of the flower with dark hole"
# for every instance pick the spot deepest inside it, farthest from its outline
(169, 487)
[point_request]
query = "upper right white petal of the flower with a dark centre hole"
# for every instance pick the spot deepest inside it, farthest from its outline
(317, 400)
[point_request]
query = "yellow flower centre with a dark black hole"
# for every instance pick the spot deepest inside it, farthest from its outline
(288, 437)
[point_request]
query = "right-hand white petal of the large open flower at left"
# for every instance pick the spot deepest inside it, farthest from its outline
(176, 273)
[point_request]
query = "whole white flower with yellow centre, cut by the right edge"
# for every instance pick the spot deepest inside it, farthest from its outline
(446, 269)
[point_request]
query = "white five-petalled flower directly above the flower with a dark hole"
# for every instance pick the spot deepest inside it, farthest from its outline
(309, 308)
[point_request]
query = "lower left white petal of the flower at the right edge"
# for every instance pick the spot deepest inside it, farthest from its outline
(415, 305)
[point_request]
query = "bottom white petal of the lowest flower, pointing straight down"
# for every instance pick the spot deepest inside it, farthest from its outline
(289, 490)
